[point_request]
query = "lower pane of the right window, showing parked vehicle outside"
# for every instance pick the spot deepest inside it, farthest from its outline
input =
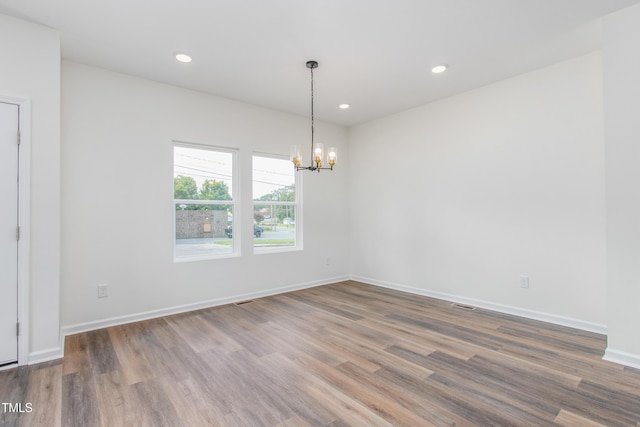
(275, 225)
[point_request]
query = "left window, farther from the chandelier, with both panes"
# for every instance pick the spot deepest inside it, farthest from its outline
(204, 202)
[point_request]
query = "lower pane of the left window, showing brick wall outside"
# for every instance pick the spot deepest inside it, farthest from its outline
(203, 230)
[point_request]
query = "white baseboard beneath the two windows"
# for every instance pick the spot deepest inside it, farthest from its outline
(136, 317)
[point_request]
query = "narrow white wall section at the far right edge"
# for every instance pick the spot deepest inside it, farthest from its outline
(622, 131)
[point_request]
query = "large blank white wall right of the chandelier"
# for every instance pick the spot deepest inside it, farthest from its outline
(461, 197)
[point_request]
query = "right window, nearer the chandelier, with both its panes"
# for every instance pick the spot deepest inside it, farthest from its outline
(276, 210)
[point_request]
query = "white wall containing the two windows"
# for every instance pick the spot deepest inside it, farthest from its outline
(117, 212)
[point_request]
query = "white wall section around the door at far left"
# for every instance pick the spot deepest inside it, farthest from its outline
(30, 69)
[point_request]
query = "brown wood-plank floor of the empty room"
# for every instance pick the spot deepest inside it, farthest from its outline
(346, 354)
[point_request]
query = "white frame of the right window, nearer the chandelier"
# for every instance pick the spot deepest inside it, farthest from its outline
(297, 204)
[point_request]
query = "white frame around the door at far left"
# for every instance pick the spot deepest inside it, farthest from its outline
(24, 221)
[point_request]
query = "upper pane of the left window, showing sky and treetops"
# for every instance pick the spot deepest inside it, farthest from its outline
(202, 174)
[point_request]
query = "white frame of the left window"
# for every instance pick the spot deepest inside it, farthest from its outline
(234, 202)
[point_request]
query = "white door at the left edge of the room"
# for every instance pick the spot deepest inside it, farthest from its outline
(8, 232)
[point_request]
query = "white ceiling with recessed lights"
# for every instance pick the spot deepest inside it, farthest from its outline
(374, 54)
